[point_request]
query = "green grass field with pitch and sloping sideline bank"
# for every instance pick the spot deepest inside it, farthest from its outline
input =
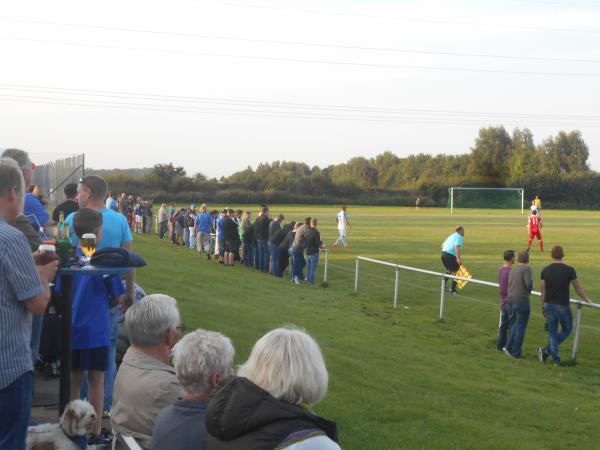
(400, 379)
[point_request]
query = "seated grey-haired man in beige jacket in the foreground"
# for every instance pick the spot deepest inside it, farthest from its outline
(145, 382)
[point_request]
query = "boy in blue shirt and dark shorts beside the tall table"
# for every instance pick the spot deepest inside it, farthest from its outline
(90, 329)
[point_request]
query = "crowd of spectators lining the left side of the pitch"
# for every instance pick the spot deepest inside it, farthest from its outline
(163, 406)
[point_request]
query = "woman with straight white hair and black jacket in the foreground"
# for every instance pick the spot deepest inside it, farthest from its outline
(267, 406)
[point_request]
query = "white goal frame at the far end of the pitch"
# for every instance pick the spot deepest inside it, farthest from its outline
(498, 198)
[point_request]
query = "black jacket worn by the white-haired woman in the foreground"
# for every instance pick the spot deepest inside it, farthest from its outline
(242, 416)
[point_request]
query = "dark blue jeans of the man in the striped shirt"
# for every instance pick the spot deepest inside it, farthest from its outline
(15, 407)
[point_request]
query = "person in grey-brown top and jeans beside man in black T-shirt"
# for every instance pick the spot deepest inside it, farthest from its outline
(520, 284)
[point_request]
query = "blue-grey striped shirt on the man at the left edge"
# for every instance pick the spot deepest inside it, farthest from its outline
(19, 282)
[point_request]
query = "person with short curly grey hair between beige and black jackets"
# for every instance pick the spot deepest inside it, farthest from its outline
(201, 359)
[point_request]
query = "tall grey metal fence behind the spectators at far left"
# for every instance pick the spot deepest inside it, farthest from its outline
(53, 176)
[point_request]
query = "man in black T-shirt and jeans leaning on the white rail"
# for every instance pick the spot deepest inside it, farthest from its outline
(556, 280)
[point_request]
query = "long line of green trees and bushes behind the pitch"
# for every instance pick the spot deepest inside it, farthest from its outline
(556, 169)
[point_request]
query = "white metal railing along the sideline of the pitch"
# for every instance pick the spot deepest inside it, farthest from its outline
(580, 304)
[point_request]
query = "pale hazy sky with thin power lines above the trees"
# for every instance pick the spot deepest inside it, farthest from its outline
(216, 86)
